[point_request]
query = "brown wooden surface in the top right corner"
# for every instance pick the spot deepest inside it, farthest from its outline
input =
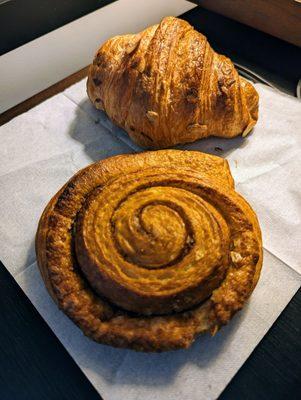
(279, 18)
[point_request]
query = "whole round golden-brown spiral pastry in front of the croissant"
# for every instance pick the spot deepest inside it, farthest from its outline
(146, 251)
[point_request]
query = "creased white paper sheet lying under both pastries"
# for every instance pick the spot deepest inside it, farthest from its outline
(44, 147)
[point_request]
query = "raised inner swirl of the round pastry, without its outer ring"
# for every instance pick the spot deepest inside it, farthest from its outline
(153, 246)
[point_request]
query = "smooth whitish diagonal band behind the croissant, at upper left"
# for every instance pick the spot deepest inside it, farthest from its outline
(42, 62)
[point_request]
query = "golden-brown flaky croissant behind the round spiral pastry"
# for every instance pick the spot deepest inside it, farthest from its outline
(166, 85)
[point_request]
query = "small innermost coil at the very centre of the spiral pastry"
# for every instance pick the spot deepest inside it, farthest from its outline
(153, 236)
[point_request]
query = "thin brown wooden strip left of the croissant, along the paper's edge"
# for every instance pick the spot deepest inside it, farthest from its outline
(42, 96)
